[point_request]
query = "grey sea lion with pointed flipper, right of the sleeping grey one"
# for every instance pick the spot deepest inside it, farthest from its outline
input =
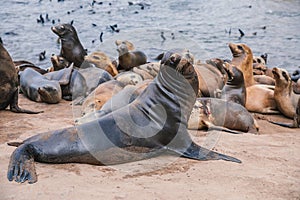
(71, 81)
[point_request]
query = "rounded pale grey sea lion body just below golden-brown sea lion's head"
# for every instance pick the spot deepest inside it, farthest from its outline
(94, 76)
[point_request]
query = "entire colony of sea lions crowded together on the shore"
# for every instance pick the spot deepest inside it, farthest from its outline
(168, 97)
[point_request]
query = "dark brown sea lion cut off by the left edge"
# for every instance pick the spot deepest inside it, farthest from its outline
(9, 89)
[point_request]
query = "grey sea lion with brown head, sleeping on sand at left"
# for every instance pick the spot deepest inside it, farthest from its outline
(38, 88)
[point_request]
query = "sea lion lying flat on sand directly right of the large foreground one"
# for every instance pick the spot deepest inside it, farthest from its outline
(219, 114)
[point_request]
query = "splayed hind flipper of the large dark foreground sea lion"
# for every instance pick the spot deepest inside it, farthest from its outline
(21, 166)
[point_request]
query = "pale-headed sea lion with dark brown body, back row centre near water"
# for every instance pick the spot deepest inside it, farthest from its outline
(129, 59)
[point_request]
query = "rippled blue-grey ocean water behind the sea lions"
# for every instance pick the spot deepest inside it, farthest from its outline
(203, 26)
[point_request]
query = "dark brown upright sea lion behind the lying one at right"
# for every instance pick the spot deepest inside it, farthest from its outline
(234, 90)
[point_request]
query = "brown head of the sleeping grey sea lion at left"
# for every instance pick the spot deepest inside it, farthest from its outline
(50, 94)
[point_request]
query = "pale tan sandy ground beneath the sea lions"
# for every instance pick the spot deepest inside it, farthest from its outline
(270, 167)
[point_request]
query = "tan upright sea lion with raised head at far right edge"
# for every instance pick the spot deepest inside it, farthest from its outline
(284, 95)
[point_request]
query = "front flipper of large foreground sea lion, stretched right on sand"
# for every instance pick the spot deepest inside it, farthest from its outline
(199, 153)
